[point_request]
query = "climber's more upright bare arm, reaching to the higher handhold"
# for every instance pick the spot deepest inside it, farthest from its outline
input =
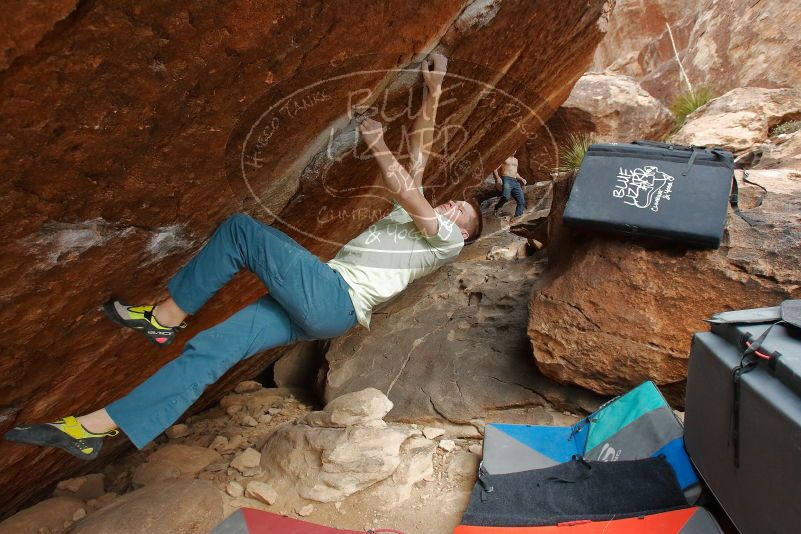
(422, 136)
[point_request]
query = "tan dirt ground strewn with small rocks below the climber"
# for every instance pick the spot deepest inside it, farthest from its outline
(435, 504)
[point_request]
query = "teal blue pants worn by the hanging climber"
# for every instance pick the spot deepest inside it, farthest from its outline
(306, 300)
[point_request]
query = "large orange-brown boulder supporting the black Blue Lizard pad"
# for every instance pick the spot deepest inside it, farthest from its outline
(613, 312)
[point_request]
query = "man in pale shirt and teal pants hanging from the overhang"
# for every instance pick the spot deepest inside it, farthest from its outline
(307, 299)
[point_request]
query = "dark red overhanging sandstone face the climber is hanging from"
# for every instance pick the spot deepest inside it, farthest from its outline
(114, 135)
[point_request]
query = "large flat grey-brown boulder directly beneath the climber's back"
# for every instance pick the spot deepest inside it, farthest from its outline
(453, 345)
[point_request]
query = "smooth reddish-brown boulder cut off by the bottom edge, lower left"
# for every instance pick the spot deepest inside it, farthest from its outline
(173, 507)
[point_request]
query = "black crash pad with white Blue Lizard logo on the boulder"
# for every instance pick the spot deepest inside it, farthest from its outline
(653, 189)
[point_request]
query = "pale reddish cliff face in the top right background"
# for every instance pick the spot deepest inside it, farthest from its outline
(722, 43)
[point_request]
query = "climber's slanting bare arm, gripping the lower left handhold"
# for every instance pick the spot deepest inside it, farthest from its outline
(398, 181)
